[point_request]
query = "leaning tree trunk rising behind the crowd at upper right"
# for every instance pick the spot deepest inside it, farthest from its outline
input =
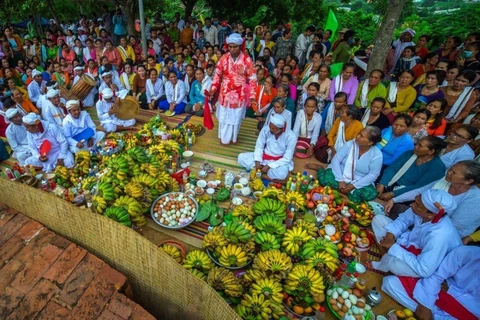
(385, 34)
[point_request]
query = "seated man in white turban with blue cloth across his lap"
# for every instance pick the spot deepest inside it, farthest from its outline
(79, 128)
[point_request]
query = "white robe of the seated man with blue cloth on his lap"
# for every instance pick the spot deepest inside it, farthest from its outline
(72, 127)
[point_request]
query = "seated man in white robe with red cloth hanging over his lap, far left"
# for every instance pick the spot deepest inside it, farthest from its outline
(46, 155)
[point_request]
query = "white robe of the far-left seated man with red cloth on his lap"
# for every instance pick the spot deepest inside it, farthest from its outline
(59, 148)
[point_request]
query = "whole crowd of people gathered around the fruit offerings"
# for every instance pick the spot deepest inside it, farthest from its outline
(405, 134)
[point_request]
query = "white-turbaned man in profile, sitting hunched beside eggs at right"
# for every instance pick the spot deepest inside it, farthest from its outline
(419, 252)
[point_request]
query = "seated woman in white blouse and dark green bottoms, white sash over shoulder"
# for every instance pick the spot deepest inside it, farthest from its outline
(355, 167)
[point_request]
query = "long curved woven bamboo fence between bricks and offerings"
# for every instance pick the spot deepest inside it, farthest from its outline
(160, 285)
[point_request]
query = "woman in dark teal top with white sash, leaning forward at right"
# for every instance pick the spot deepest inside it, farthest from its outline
(413, 169)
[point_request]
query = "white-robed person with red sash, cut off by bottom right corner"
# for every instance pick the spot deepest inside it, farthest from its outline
(460, 269)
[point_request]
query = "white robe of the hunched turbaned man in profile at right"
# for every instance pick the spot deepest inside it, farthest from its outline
(435, 240)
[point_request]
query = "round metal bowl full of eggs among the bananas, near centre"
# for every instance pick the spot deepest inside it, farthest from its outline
(175, 210)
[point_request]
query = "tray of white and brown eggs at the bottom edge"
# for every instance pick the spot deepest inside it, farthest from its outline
(343, 301)
